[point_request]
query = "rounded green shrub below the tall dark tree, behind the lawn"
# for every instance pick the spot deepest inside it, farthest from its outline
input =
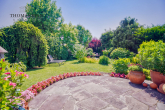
(120, 53)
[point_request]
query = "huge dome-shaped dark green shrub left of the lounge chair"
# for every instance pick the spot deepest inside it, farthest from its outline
(24, 42)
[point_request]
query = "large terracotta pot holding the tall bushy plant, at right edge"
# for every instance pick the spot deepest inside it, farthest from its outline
(157, 78)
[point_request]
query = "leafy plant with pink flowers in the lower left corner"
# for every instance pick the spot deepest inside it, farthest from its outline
(10, 83)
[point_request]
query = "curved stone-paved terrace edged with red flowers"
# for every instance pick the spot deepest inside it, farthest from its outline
(98, 93)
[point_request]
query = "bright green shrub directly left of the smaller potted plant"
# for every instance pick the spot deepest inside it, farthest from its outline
(121, 65)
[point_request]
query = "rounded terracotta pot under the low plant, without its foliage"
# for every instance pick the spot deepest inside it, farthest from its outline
(136, 77)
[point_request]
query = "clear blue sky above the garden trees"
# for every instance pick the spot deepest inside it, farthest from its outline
(95, 15)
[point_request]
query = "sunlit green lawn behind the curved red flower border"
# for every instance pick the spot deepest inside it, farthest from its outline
(37, 75)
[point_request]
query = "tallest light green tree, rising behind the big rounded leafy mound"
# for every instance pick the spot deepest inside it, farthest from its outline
(44, 15)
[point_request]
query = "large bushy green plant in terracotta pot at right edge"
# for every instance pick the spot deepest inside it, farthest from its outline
(152, 56)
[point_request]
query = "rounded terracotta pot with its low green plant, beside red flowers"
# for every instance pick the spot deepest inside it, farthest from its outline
(136, 75)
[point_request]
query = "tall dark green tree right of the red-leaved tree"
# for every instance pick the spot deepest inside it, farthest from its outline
(124, 35)
